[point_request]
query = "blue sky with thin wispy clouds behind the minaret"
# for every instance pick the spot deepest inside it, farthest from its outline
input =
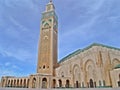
(81, 23)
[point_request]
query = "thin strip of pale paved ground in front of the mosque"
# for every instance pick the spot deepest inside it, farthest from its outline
(62, 89)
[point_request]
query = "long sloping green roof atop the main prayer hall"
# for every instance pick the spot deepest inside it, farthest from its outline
(82, 50)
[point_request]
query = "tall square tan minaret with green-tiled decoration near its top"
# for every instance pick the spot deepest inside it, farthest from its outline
(47, 51)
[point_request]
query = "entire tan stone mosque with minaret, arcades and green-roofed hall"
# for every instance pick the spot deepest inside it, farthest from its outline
(95, 66)
